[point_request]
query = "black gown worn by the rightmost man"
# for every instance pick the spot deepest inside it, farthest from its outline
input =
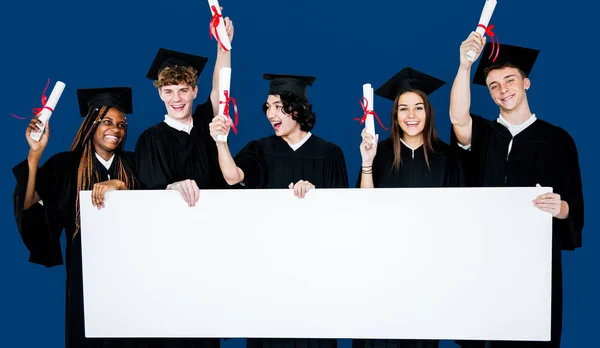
(541, 154)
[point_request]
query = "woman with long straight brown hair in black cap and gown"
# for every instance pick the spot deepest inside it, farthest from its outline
(413, 155)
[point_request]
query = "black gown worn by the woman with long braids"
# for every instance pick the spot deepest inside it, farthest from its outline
(41, 226)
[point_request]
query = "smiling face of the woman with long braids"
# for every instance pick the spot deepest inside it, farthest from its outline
(110, 131)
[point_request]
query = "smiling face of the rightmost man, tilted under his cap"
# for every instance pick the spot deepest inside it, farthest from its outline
(507, 87)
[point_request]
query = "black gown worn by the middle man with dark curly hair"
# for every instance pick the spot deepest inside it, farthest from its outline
(271, 163)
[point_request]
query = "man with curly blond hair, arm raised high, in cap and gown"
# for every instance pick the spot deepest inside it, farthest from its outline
(178, 153)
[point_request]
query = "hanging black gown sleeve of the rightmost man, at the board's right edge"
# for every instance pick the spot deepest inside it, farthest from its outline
(569, 187)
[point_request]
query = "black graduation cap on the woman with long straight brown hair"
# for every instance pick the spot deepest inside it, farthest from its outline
(409, 79)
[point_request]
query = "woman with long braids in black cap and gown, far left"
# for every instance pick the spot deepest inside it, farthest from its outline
(46, 200)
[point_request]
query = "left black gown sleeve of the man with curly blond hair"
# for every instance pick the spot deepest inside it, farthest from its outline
(151, 162)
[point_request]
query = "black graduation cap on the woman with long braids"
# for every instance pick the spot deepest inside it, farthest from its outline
(114, 97)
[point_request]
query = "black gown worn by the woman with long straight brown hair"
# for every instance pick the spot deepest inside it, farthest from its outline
(443, 169)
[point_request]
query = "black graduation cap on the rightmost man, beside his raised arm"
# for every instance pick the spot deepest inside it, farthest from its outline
(521, 57)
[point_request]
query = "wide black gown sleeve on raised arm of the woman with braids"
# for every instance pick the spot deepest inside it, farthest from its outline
(39, 231)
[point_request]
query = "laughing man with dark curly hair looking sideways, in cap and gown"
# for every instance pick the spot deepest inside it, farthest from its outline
(291, 158)
